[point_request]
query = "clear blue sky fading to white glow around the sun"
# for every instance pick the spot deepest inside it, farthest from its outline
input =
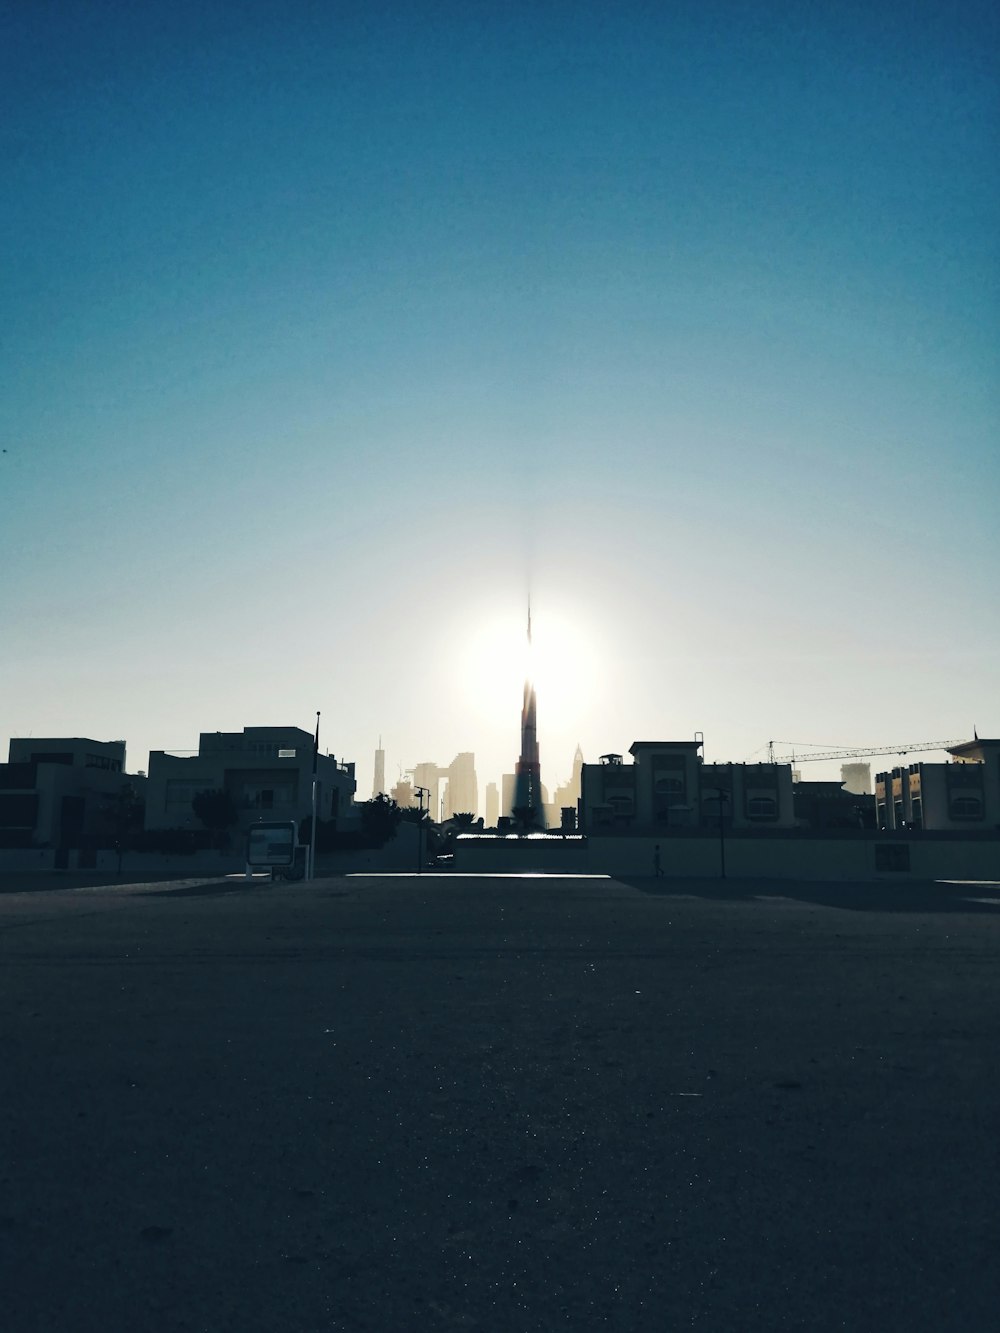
(330, 330)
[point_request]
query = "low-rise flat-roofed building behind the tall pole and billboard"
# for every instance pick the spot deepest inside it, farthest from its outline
(266, 771)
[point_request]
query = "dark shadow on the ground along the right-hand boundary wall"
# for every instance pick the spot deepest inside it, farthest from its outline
(867, 896)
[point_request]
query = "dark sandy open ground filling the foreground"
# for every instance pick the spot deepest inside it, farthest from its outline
(501, 1104)
